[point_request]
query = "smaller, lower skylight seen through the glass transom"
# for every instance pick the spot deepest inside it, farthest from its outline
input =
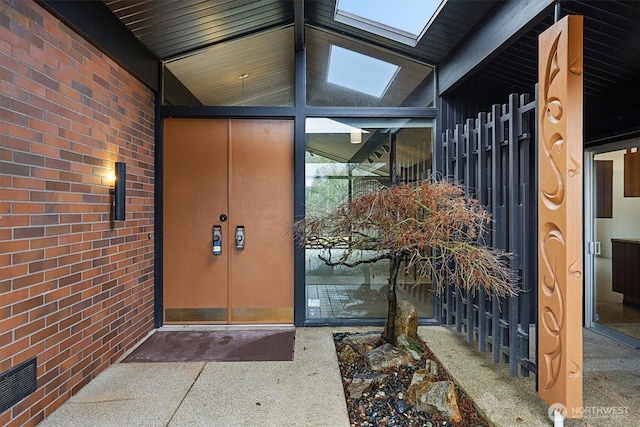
(359, 72)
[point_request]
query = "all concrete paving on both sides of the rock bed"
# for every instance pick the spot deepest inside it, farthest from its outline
(308, 391)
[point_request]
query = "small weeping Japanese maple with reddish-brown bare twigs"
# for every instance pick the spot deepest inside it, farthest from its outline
(433, 225)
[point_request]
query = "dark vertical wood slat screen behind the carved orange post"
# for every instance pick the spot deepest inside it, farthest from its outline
(493, 156)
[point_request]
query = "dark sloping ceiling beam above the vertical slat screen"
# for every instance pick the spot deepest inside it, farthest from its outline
(506, 23)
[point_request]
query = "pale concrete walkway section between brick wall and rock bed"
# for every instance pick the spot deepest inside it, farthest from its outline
(304, 392)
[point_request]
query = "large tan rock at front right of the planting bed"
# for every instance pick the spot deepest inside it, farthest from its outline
(435, 398)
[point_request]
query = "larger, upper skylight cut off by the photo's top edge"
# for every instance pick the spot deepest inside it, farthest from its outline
(404, 21)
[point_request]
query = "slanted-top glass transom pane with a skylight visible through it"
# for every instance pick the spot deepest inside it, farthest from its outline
(407, 83)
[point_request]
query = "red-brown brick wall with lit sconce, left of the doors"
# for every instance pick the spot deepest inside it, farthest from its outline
(76, 289)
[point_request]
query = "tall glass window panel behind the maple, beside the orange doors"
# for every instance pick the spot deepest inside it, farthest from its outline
(337, 167)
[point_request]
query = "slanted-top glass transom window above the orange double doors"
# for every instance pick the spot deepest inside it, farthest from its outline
(253, 71)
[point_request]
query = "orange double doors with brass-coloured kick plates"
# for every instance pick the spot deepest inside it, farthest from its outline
(230, 174)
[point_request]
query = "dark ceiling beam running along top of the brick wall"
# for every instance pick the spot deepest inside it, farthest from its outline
(95, 22)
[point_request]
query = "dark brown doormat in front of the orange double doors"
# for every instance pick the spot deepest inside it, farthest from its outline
(224, 346)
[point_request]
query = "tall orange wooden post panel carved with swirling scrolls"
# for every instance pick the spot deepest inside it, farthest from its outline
(560, 260)
